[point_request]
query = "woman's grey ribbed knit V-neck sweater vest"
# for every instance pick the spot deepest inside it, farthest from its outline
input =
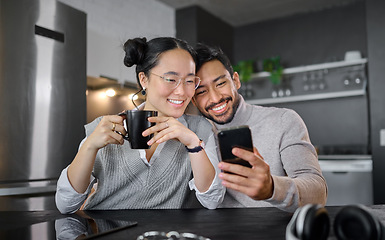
(126, 182)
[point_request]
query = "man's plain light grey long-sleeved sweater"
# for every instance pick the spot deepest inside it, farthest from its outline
(282, 139)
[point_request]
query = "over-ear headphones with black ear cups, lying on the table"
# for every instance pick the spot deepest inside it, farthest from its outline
(351, 222)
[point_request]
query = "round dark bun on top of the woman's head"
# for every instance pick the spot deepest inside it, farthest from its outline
(135, 51)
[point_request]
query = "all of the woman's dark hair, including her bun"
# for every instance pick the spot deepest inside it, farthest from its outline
(146, 54)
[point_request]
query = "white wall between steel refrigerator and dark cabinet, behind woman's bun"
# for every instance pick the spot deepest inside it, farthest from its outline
(111, 22)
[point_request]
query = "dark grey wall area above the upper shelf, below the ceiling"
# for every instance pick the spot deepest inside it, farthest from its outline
(305, 39)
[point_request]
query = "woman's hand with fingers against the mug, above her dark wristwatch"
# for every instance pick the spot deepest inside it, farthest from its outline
(167, 128)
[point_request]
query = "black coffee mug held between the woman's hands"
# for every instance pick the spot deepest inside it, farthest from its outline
(137, 122)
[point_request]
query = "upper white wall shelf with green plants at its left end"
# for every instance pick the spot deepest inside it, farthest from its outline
(314, 67)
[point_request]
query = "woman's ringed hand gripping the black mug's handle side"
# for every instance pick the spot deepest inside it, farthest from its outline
(107, 132)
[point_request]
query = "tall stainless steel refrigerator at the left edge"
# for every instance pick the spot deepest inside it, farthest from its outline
(42, 98)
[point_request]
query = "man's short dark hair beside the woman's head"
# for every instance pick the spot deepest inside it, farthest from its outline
(207, 53)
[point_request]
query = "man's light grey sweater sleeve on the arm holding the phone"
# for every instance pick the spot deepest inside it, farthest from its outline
(304, 182)
